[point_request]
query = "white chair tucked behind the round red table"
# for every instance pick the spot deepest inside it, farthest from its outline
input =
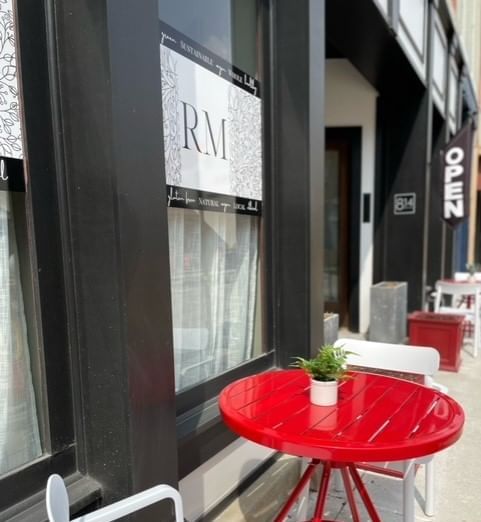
(418, 360)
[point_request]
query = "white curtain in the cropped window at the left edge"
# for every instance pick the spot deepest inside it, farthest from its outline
(19, 432)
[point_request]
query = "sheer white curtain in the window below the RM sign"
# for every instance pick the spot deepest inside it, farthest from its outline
(213, 260)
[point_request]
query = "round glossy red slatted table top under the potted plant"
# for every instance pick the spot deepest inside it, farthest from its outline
(377, 418)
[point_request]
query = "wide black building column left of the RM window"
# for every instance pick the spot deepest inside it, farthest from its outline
(105, 72)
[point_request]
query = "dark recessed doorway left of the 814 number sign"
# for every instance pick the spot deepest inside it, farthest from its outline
(342, 224)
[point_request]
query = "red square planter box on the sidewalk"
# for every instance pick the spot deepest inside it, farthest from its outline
(441, 331)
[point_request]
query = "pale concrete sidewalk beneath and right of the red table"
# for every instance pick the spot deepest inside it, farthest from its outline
(458, 481)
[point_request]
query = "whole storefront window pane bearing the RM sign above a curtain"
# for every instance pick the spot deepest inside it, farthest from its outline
(211, 96)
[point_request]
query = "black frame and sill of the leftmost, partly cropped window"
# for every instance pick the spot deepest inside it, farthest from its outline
(43, 205)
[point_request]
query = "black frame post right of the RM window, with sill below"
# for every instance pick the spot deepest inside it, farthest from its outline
(292, 239)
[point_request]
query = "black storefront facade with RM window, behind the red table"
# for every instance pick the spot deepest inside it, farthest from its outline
(135, 308)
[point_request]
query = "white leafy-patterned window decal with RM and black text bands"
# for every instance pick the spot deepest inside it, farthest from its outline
(212, 129)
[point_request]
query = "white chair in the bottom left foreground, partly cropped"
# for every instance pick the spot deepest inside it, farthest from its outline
(58, 505)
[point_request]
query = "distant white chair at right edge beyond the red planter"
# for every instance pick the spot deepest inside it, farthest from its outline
(461, 299)
